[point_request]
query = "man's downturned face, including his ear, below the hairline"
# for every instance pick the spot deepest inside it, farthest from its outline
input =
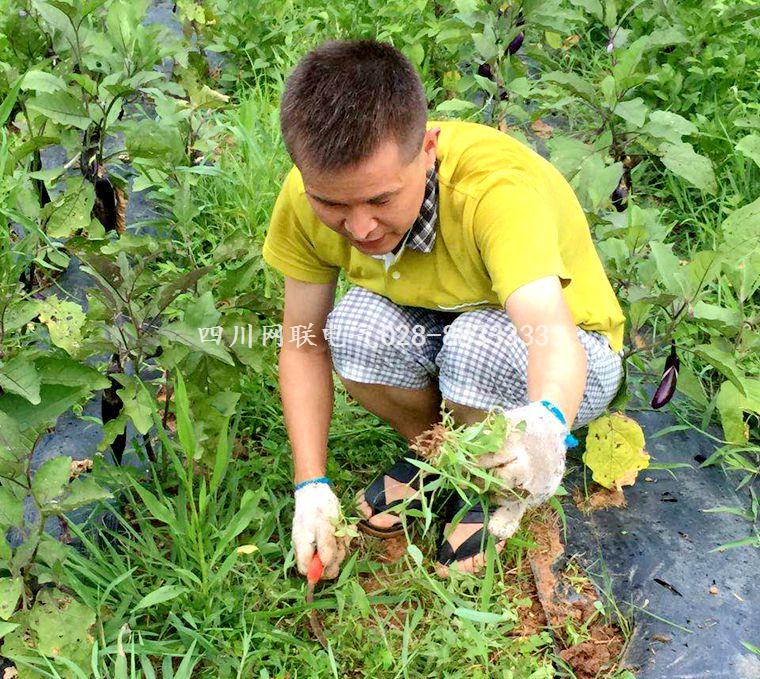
(374, 203)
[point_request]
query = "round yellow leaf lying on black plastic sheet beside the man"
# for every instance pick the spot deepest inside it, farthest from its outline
(615, 450)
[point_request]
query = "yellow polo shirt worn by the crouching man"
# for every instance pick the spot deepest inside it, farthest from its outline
(506, 216)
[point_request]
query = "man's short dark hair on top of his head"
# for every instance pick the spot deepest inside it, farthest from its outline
(345, 98)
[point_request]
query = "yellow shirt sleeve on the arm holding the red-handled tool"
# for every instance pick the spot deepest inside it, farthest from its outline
(288, 248)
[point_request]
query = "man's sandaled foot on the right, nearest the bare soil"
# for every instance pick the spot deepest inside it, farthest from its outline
(465, 548)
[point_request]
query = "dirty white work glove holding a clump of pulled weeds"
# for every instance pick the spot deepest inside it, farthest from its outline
(532, 462)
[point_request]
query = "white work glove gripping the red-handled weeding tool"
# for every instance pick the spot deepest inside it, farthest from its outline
(316, 515)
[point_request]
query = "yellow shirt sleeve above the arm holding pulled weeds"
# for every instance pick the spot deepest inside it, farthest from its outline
(517, 232)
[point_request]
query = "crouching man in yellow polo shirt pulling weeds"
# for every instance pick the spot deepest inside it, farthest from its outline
(475, 285)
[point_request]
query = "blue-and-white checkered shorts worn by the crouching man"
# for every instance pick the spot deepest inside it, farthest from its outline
(477, 356)
